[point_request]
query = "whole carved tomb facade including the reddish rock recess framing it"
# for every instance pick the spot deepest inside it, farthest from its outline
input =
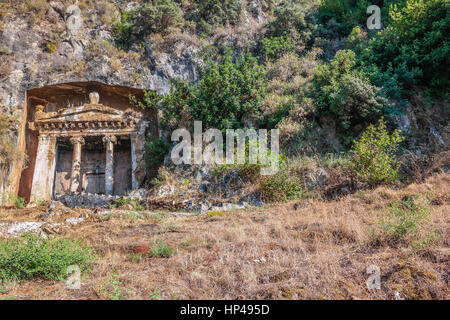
(90, 148)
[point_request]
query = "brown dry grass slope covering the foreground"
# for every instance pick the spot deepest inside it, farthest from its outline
(319, 251)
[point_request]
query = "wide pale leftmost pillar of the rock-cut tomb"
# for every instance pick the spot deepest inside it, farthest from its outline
(44, 169)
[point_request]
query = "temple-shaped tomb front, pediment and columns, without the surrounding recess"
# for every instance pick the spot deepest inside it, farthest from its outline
(98, 124)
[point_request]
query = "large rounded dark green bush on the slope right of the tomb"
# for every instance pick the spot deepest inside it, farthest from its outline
(228, 91)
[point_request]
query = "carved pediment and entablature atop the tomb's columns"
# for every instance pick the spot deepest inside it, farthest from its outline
(89, 119)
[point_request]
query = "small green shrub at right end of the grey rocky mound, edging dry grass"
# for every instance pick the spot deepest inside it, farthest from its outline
(281, 186)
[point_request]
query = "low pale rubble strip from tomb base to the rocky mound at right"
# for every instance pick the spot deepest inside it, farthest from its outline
(190, 189)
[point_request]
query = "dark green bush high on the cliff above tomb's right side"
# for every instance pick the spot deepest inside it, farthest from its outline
(156, 16)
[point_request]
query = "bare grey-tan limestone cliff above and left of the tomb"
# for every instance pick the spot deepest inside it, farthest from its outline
(45, 43)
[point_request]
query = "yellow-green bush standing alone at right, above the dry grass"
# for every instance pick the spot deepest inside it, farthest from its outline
(374, 154)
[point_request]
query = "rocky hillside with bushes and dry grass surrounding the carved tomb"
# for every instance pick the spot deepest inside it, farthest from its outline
(363, 118)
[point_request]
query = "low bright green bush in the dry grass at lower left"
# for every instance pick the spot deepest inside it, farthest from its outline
(32, 256)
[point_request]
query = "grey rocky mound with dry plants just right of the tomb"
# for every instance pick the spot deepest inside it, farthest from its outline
(197, 188)
